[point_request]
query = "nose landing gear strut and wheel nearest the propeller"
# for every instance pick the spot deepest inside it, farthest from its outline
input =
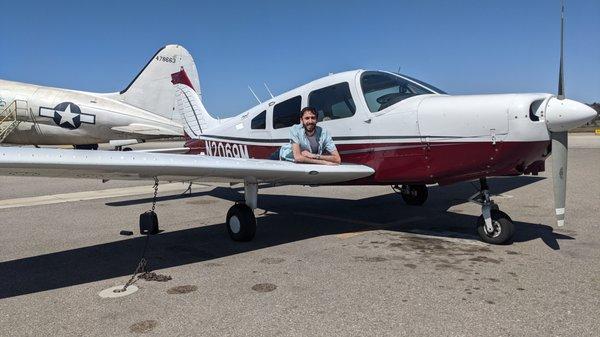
(493, 226)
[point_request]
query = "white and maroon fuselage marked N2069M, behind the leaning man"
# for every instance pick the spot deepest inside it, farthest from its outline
(429, 137)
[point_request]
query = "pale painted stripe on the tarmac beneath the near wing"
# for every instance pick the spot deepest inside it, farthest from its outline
(88, 195)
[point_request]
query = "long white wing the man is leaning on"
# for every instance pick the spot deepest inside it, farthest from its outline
(170, 167)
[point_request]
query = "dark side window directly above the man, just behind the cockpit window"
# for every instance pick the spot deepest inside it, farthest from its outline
(333, 102)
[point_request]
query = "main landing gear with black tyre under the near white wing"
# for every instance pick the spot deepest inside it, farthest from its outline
(241, 223)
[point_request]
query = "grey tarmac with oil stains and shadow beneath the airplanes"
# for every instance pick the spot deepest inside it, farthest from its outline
(326, 261)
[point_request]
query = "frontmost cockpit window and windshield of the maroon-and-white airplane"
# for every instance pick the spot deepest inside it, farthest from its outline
(382, 90)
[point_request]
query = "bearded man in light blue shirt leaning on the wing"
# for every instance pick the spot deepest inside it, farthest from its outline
(309, 143)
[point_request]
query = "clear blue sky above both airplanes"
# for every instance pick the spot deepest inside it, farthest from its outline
(463, 47)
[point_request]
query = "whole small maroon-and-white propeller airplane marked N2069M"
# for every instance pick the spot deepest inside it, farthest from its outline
(390, 129)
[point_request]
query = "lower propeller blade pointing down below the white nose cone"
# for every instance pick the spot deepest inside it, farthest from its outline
(559, 173)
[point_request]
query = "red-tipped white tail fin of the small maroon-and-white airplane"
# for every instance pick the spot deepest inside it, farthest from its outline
(194, 117)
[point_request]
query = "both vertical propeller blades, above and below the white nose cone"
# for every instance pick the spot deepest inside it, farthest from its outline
(560, 141)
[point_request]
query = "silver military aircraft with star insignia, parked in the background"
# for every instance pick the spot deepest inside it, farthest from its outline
(38, 115)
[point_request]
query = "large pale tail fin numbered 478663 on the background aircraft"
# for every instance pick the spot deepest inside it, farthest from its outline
(150, 89)
